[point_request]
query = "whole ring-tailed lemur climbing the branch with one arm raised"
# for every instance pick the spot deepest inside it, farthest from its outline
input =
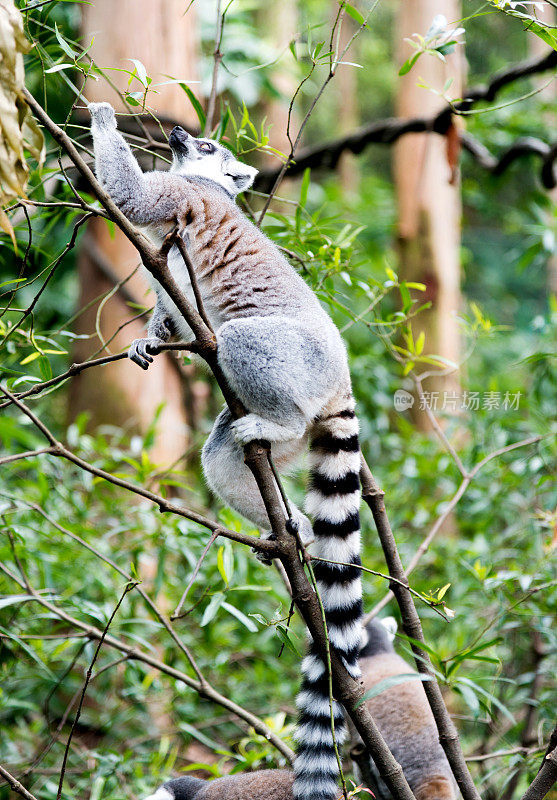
(285, 360)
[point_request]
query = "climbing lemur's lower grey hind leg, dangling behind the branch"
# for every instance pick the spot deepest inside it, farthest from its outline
(229, 478)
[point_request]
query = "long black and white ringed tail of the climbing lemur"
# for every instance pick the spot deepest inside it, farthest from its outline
(333, 501)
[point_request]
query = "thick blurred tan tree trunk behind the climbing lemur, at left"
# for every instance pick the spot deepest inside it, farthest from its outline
(162, 36)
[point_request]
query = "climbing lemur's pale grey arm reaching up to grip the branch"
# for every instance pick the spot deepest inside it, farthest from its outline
(145, 198)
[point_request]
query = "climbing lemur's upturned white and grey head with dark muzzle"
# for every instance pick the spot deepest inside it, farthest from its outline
(209, 159)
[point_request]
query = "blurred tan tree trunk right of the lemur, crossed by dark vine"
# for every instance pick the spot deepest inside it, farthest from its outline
(428, 193)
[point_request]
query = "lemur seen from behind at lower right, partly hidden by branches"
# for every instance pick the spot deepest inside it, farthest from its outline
(404, 718)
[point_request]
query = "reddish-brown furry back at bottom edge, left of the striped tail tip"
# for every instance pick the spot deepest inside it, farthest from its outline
(267, 784)
